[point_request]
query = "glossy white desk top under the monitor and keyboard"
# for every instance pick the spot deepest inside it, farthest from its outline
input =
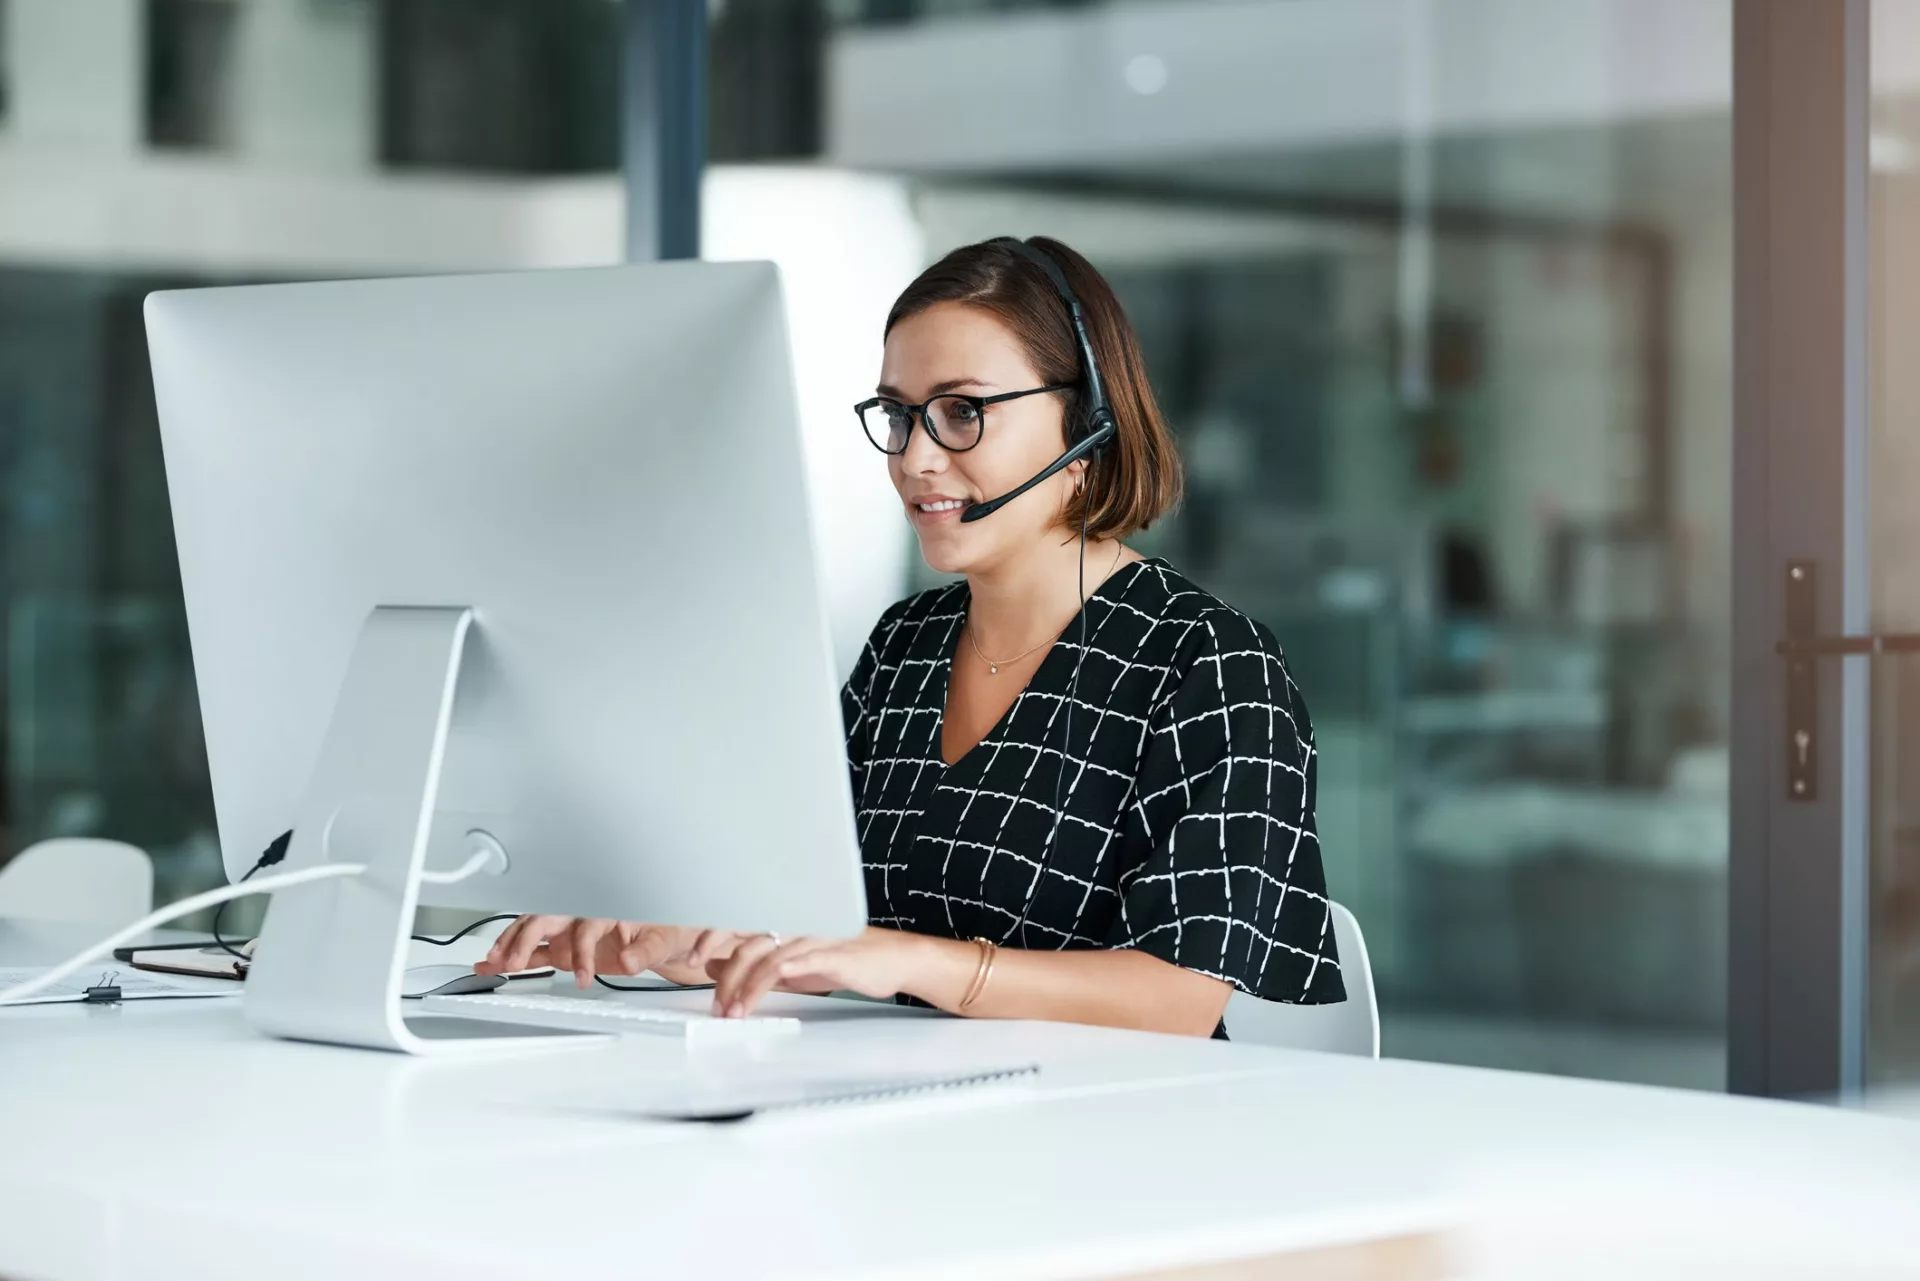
(166, 1140)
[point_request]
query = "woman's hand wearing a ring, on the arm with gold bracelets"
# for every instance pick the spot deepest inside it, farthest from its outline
(878, 963)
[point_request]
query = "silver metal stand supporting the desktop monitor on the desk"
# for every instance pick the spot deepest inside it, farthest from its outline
(333, 954)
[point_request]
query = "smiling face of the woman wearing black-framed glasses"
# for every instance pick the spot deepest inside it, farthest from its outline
(959, 349)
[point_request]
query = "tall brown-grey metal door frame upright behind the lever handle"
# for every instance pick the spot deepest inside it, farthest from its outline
(1798, 865)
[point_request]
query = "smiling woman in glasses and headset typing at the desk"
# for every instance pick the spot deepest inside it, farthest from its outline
(1084, 785)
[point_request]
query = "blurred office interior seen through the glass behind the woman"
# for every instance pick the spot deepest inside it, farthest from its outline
(1437, 295)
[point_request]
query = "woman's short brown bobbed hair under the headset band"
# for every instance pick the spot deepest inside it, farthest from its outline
(1138, 477)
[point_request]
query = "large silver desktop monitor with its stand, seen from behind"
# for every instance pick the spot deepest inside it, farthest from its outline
(521, 556)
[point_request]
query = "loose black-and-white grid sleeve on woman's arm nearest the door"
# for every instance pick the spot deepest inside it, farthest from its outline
(1230, 881)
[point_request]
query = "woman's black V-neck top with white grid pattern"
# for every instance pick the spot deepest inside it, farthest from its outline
(1188, 800)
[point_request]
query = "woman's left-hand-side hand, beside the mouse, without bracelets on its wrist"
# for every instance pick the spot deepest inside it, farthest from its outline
(590, 948)
